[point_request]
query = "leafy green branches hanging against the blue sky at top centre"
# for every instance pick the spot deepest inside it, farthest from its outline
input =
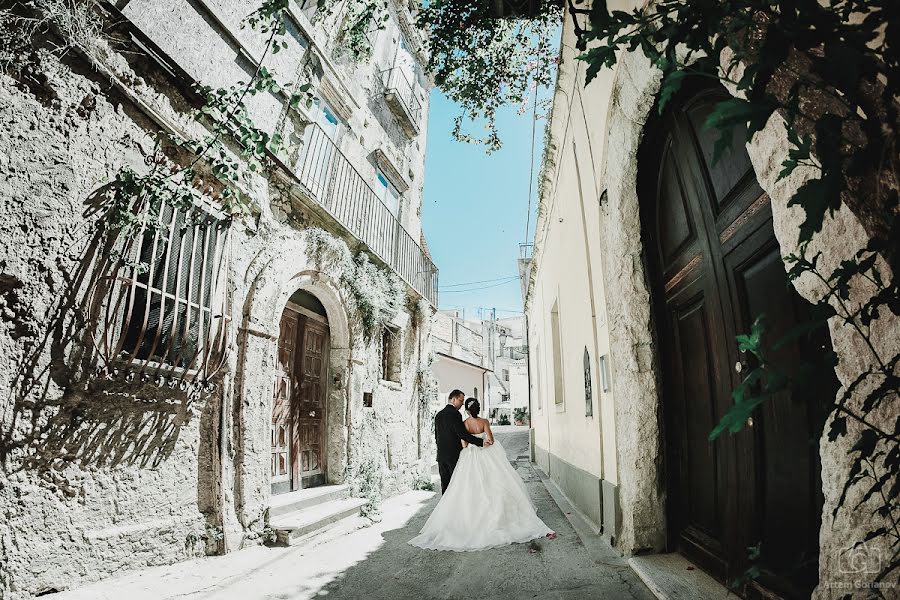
(483, 62)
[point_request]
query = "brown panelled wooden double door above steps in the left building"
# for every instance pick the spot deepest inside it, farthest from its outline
(298, 404)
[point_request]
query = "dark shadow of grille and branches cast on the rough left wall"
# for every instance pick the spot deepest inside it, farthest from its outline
(57, 412)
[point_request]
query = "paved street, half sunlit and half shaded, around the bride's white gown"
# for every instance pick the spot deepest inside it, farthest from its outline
(376, 562)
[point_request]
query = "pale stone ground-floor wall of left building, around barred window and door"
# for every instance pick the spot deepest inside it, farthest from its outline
(100, 478)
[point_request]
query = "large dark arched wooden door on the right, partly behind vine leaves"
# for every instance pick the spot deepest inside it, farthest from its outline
(715, 265)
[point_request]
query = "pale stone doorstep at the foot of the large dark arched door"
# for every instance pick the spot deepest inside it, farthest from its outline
(673, 577)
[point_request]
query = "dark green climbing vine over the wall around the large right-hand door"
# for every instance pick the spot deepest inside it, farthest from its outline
(830, 72)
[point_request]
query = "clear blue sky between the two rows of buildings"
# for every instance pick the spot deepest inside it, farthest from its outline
(475, 206)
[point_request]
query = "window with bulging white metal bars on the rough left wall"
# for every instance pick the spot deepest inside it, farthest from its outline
(166, 306)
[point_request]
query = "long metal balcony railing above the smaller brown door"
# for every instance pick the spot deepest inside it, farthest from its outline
(332, 181)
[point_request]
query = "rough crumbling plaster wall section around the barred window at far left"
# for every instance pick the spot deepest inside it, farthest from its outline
(91, 484)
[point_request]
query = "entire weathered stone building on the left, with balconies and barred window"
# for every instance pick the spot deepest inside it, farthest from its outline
(110, 464)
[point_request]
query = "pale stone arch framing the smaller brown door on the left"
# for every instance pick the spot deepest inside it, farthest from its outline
(279, 271)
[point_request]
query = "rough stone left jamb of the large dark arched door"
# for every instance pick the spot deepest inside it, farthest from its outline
(632, 347)
